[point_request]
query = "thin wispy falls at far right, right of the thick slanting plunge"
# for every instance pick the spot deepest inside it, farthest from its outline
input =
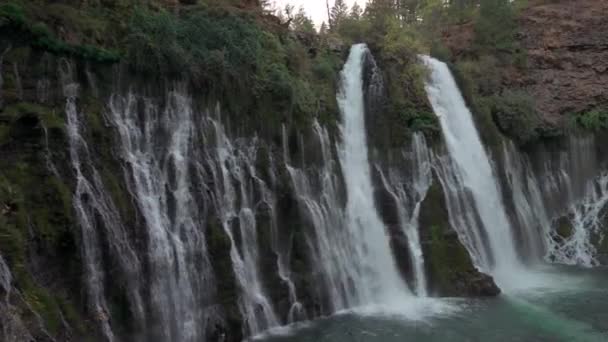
(566, 193)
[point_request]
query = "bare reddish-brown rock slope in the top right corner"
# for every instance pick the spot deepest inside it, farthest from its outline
(566, 47)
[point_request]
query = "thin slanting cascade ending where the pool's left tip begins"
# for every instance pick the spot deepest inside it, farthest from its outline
(235, 163)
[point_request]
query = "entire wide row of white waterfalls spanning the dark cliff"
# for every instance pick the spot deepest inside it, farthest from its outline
(226, 233)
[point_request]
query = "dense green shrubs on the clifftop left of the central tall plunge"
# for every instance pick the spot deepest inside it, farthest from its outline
(232, 56)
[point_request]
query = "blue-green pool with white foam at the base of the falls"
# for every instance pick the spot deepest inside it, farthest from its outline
(571, 306)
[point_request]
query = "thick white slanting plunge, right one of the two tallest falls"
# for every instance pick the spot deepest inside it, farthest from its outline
(472, 166)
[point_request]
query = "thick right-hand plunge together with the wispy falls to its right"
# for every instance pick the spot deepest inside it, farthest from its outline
(502, 238)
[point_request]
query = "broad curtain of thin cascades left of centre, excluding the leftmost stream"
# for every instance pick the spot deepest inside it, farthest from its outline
(184, 171)
